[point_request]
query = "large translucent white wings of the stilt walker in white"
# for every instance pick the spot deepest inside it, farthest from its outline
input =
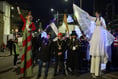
(85, 24)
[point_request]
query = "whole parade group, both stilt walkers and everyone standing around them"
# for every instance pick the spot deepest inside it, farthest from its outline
(70, 54)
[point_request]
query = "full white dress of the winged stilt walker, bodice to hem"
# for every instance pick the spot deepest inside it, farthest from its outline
(98, 40)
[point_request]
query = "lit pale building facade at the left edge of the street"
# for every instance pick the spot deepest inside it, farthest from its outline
(4, 21)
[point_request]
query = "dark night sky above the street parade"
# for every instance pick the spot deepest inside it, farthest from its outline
(41, 8)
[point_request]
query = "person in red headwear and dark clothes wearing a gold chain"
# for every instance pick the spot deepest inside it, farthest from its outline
(59, 49)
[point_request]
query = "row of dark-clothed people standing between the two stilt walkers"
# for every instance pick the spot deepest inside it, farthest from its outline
(69, 54)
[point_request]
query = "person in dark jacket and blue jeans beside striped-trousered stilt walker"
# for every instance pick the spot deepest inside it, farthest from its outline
(45, 54)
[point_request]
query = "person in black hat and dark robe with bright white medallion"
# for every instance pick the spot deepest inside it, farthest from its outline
(73, 53)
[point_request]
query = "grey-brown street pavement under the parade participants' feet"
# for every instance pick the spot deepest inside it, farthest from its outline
(7, 71)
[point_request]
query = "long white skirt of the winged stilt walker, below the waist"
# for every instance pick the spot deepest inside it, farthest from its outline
(98, 42)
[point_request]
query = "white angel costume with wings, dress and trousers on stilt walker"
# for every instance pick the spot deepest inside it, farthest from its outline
(100, 38)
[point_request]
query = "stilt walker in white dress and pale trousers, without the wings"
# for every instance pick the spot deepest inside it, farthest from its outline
(98, 49)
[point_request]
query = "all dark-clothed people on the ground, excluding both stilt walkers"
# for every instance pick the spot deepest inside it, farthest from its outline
(69, 55)
